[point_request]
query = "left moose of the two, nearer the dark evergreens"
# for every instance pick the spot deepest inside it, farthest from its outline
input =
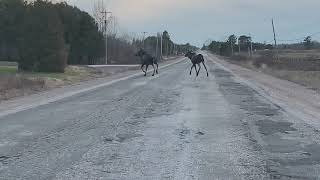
(146, 60)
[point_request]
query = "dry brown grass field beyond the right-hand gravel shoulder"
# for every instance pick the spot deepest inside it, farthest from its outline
(301, 67)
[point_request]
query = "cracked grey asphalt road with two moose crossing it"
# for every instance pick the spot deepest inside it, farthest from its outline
(171, 126)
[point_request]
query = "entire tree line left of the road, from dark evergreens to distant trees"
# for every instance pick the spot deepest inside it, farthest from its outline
(45, 36)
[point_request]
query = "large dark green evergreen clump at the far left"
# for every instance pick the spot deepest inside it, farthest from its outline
(43, 36)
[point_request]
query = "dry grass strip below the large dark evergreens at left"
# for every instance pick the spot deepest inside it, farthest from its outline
(13, 84)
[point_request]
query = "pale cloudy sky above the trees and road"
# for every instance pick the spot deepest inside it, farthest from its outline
(197, 21)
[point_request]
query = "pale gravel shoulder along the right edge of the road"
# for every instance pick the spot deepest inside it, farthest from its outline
(296, 99)
